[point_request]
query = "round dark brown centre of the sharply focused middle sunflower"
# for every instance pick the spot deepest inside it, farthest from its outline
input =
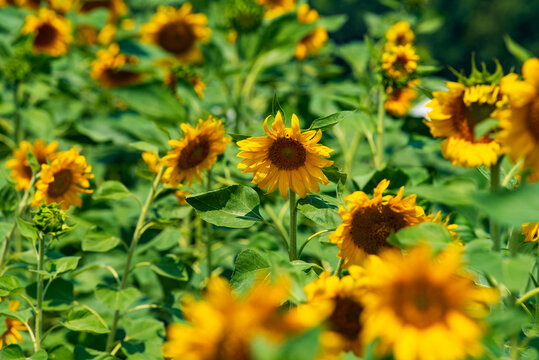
(287, 154)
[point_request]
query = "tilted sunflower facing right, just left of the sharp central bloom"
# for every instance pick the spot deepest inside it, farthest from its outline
(195, 151)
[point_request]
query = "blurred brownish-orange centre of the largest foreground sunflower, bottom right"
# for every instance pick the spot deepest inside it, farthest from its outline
(420, 302)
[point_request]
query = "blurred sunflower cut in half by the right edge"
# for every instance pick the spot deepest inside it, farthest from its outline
(519, 123)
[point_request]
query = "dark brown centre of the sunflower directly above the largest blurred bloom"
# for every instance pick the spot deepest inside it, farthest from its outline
(372, 226)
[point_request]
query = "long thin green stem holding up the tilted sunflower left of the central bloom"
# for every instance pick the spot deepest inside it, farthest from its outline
(131, 252)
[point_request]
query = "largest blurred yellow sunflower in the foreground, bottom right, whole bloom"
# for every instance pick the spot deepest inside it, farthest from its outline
(424, 308)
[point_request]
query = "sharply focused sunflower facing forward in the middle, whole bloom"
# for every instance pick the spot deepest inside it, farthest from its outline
(286, 158)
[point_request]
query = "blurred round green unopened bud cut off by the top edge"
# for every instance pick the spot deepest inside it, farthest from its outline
(244, 15)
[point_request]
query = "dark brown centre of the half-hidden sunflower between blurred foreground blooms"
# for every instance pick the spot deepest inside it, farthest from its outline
(345, 318)
